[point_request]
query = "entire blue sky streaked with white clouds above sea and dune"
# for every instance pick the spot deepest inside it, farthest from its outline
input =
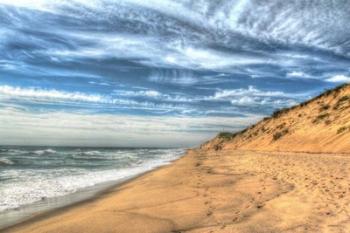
(161, 73)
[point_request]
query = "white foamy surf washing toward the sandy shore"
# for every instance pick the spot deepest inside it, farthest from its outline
(30, 186)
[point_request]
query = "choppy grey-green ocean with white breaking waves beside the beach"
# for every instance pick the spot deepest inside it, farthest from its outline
(30, 175)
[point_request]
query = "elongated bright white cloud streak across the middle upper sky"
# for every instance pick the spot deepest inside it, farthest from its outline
(153, 50)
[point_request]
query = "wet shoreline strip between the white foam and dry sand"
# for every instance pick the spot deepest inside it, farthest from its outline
(83, 196)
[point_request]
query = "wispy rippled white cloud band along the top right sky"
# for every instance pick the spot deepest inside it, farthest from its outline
(266, 22)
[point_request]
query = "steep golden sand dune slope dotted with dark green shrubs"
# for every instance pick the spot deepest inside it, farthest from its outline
(318, 125)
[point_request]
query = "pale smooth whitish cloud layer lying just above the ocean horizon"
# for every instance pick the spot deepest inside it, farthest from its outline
(62, 128)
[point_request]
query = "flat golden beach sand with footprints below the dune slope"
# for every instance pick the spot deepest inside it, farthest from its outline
(225, 191)
